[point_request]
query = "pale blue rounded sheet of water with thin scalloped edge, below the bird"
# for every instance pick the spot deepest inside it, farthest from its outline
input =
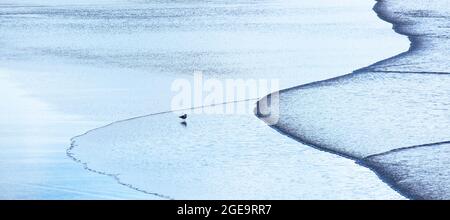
(222, 157)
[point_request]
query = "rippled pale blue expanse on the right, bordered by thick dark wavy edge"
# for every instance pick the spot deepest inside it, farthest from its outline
(391, 115)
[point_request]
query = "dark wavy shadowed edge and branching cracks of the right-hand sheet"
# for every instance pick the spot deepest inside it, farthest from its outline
(416, 45)
